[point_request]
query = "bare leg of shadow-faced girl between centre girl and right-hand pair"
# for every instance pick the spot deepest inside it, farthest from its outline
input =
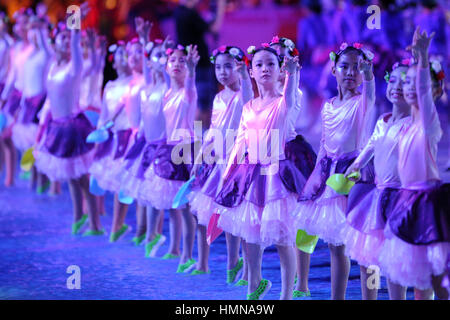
(340, 269)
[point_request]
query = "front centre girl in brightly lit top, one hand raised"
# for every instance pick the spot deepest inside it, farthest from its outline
(257, 198)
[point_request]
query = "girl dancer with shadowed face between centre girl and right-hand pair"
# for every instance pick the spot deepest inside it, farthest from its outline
(321, 210)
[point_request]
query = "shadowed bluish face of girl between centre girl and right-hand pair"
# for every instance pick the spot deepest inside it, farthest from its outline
(346, 71)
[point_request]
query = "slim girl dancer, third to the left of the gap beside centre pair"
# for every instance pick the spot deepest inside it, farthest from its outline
(125, 127)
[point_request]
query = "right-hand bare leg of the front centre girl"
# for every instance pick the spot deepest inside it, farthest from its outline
(287, 266)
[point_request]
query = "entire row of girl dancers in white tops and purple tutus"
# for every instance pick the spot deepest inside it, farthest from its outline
(395, 218)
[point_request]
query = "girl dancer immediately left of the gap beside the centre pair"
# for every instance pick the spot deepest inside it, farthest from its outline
(168, 172)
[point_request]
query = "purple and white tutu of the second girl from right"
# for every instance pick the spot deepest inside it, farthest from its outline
(367, 209)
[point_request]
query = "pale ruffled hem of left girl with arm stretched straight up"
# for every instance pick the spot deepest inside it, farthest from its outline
(61, 169)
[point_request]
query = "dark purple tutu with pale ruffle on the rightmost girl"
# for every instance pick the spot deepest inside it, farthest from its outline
(417, 237)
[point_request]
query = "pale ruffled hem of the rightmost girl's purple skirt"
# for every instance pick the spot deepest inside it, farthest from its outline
(412, 265)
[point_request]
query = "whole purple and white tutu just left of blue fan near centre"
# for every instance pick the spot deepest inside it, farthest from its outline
(165, 177)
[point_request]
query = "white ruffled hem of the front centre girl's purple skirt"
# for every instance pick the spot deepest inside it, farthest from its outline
(271, 224)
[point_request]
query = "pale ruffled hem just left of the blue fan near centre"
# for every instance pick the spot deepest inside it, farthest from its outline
(157, 191)
